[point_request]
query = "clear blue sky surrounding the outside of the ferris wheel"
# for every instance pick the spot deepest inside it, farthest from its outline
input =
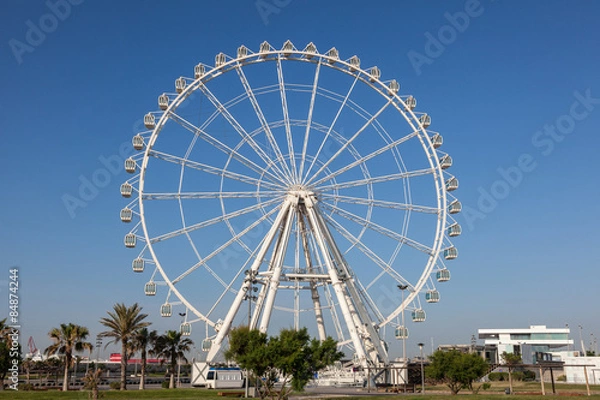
(496, 85)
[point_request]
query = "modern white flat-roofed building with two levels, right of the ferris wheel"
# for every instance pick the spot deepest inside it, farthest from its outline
(528, 342)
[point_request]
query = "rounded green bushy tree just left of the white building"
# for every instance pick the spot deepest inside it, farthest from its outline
(455, 369)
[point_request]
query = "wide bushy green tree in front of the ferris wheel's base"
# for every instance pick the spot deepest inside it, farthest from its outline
(292, 355)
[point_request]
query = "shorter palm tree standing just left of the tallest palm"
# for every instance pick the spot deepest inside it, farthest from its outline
(68, 339)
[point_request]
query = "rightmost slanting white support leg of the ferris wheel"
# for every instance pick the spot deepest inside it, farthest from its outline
(356, 306)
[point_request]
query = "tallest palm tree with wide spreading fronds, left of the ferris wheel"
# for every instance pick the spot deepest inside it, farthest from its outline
(123, 323)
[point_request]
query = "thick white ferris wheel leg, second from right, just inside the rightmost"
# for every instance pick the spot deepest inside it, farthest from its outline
(336, 282)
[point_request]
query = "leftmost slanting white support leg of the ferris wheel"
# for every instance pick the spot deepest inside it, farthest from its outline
(216, 347)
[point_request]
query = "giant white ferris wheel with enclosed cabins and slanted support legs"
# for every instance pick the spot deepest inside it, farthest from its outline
(288, 187)
